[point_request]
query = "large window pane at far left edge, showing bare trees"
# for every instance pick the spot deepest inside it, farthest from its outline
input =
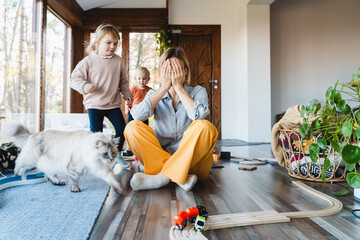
(17, 64)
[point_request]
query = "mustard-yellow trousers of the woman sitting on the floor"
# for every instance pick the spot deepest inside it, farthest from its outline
(194, 154)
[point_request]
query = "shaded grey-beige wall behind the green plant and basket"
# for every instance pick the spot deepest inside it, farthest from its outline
(313, 44)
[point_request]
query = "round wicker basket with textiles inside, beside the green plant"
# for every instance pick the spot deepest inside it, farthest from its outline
(298, 162)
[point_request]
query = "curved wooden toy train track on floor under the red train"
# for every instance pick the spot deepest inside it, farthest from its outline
(261, 217)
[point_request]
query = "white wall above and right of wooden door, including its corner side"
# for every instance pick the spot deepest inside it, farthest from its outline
(239, 96)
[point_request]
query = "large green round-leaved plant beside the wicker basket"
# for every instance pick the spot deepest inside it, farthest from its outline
(338, 121)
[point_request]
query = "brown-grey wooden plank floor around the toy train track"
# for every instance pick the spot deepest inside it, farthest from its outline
(149, 214)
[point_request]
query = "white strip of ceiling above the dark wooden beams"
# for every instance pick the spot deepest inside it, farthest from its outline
(89, 4)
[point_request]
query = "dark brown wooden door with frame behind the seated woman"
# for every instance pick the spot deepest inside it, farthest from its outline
(202, 46)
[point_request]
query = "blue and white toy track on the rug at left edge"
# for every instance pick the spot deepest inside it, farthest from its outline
(13, 181)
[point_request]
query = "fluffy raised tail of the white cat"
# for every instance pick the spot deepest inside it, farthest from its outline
(16, 133)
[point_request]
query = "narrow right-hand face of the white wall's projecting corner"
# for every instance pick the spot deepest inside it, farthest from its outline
(259, 84)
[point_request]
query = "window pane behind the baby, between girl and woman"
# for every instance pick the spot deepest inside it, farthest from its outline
(143, 54)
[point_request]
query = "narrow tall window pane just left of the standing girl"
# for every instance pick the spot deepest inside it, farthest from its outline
(55, 59)
